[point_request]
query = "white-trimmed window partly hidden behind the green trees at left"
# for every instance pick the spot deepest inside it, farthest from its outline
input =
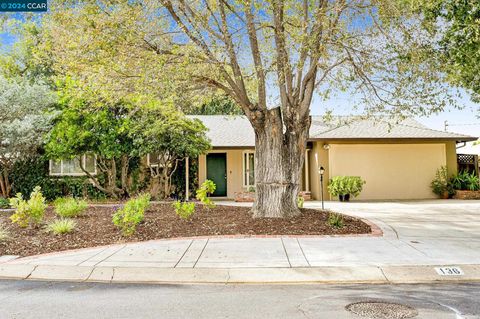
(71, 167)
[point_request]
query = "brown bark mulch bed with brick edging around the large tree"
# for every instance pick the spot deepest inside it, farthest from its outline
(95, 228)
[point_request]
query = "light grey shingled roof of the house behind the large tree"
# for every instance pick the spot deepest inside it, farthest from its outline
(236, 131)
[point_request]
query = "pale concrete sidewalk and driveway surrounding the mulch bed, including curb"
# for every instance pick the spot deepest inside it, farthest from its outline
(418, 236)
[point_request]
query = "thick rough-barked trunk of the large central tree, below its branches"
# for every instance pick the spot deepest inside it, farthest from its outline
(279, 158)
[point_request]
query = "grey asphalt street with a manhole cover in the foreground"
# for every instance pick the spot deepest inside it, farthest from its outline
(35, 299)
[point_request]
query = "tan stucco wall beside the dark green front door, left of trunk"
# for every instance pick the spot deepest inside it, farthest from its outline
(234, 170)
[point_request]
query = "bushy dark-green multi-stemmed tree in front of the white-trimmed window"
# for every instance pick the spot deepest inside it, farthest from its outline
(87, 127)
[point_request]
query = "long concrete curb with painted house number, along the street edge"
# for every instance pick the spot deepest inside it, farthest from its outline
(313, 275)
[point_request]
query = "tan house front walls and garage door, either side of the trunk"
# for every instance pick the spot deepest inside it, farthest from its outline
(393, 170)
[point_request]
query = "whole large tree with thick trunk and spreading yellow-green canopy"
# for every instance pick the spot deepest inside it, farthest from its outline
(271, 57)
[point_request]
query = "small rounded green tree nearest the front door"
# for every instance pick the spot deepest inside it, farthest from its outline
(170, 137)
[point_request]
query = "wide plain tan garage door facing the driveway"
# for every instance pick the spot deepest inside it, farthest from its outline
(392, 171)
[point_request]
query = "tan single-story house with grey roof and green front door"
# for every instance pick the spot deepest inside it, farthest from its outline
(398, 160)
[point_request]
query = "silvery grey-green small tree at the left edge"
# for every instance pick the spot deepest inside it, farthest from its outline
(25, 116)
